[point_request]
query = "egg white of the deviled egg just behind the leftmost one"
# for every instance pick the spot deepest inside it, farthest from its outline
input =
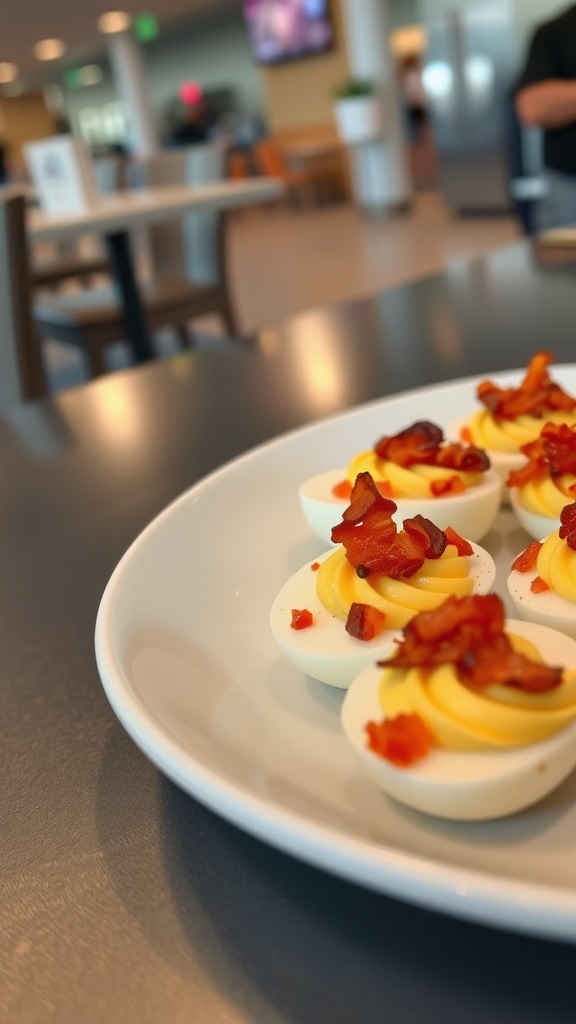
(471, 514)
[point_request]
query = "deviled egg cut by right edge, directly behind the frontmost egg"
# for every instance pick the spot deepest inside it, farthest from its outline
(543, 582)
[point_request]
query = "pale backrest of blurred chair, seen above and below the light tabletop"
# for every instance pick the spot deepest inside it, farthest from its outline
(192, 246)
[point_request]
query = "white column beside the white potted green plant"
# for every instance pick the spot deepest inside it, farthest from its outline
(380, 167)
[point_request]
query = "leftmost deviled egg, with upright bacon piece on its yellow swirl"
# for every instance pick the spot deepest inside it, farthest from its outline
(359, 595)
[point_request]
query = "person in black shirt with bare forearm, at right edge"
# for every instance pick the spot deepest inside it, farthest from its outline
(547, 99)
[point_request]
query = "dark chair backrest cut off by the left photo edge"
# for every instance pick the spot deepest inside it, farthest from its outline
(22, 373)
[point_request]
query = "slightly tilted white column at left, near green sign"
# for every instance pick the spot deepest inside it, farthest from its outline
(133, 88)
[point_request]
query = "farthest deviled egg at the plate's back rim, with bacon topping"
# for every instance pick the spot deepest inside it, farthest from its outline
(513, 417)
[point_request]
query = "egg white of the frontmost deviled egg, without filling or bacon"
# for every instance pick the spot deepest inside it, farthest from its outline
(468, 786)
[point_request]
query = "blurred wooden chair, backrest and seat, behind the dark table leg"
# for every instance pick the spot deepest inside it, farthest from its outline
(190, 271)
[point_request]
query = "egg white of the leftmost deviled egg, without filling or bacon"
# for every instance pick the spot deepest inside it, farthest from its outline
(325, 651)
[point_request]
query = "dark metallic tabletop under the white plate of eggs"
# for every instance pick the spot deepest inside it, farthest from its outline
(122, 900)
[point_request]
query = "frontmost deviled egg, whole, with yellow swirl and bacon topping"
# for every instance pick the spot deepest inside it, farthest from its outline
(472, 745)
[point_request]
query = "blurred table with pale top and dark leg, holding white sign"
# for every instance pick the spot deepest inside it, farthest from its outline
(114, 217)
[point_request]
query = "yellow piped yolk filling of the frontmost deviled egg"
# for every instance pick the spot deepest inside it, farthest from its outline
(464, 719)
